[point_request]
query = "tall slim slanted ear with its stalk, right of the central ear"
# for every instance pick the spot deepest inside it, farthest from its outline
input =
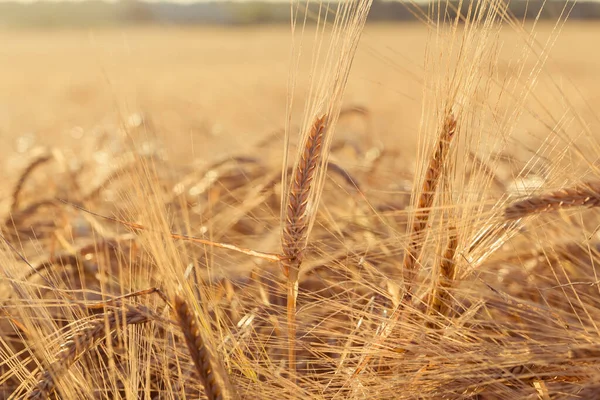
(419, 225)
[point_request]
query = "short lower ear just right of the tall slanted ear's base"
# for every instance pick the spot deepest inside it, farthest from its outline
(439, 300)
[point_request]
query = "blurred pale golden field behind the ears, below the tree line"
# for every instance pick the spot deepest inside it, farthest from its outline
(199, 86)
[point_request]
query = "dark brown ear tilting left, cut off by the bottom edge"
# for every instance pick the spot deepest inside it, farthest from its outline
(211, 372)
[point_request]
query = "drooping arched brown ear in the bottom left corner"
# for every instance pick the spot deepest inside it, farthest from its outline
(82, 341)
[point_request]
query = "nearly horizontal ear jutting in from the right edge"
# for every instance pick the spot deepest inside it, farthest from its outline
(582, 195)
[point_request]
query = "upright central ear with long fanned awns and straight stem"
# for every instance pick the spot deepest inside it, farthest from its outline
(328, 80)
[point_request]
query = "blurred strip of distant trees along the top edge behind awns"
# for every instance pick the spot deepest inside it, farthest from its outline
(100, 13)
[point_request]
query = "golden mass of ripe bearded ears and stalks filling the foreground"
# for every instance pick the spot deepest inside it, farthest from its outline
(470, 285)
